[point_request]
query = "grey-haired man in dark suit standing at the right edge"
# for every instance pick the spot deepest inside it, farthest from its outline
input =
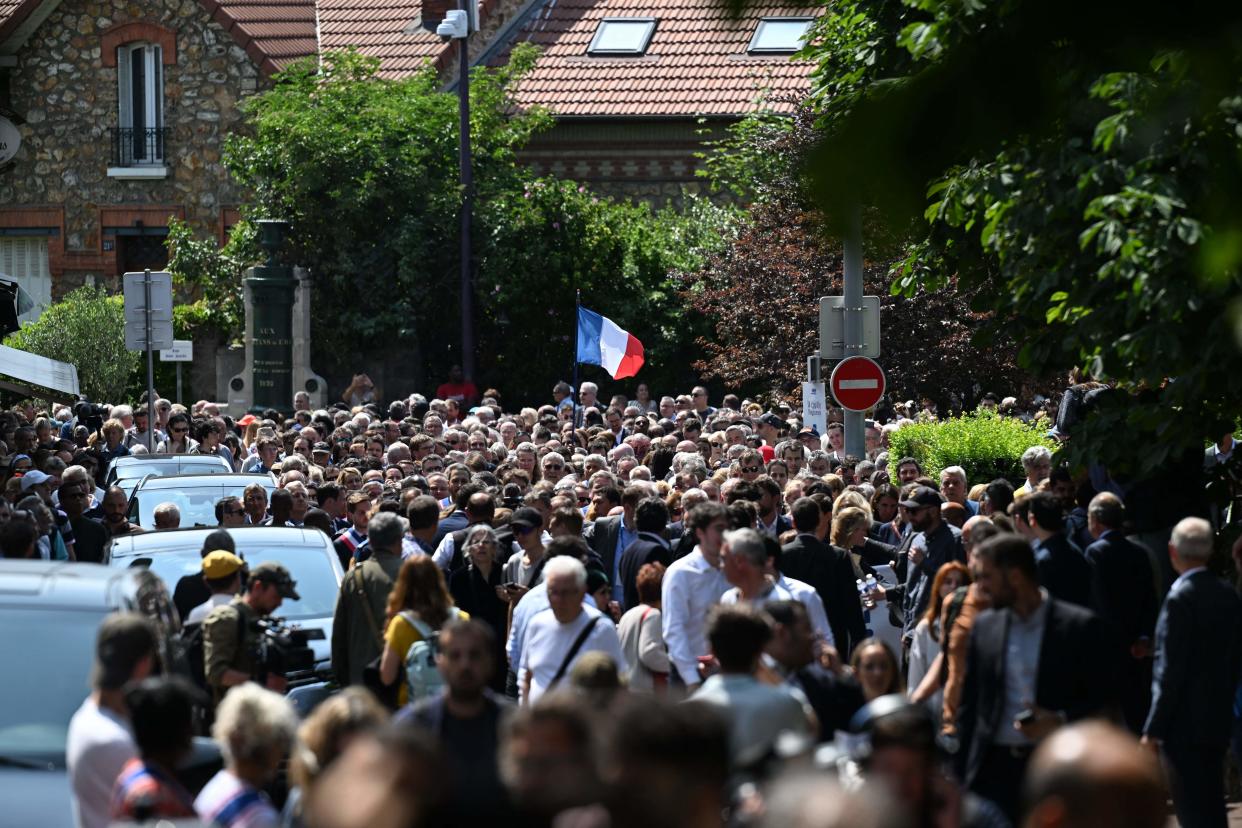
(1195, 677)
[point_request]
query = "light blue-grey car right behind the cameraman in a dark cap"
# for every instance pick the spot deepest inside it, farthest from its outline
(307, 554)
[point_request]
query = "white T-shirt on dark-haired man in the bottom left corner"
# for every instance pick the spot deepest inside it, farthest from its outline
(99, 747)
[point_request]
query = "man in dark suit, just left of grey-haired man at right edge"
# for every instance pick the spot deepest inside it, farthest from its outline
(1123, 595)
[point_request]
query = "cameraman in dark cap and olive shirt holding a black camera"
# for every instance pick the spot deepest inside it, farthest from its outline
(232, 634)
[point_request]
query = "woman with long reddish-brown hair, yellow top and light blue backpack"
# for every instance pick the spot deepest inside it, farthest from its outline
(419, 606)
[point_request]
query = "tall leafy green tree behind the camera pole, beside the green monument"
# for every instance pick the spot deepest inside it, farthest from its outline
(366, 171)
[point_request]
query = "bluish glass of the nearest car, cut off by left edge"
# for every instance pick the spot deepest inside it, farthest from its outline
(55, 650)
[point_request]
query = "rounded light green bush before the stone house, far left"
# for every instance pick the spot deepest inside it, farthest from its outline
(86, 330)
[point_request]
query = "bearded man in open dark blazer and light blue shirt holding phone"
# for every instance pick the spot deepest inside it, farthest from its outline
(1034, 664)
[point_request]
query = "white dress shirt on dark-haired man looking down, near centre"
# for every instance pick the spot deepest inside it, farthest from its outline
(691, 589)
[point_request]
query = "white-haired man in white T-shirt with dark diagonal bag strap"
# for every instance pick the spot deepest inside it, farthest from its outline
(558, 636)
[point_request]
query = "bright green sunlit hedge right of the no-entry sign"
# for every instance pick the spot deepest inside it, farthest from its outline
(986, 445)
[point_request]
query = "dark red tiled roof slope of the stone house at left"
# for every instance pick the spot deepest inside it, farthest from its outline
(274, 33)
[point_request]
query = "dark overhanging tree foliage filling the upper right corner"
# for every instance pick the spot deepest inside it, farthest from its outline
(1077, 171)
